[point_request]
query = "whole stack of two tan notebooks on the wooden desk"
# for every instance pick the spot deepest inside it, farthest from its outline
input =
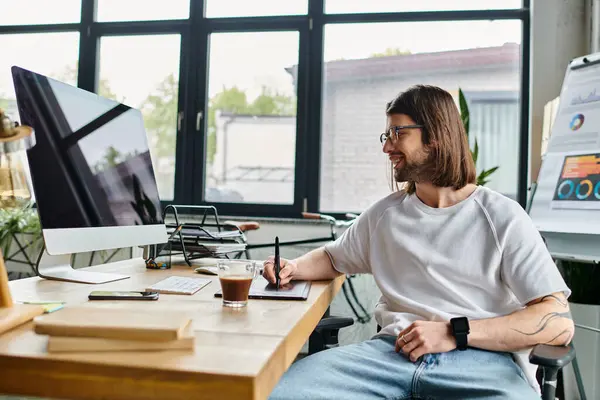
(88, 329)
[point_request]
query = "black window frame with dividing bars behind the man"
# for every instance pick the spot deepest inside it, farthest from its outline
(195, 34)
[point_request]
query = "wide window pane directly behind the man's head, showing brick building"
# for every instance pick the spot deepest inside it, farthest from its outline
(366, 65)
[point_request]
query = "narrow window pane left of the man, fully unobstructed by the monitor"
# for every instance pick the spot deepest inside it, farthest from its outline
(251, 142)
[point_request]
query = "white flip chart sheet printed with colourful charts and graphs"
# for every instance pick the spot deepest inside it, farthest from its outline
(567, 198)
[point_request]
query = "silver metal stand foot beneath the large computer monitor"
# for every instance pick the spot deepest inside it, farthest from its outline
(59, 268)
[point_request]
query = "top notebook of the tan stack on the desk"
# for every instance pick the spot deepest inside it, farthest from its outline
(113, 323)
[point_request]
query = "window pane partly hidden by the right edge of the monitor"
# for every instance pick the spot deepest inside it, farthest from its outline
(131, 73)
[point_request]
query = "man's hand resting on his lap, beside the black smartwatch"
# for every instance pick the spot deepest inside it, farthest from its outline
(425, 337)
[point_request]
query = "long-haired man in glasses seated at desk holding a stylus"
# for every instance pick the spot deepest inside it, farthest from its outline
(449, 258)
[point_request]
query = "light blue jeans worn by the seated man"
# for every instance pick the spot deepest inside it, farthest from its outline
(373, 370)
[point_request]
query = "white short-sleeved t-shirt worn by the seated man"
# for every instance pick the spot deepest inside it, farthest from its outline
(480, 258)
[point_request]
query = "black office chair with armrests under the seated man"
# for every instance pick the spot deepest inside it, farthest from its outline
(549, 359)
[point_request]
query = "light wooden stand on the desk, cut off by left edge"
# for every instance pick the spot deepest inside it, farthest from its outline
(12, 315)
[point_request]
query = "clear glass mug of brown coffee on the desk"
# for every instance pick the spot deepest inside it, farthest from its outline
(236, 277)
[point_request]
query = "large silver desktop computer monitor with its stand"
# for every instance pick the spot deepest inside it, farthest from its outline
(91, 173)
